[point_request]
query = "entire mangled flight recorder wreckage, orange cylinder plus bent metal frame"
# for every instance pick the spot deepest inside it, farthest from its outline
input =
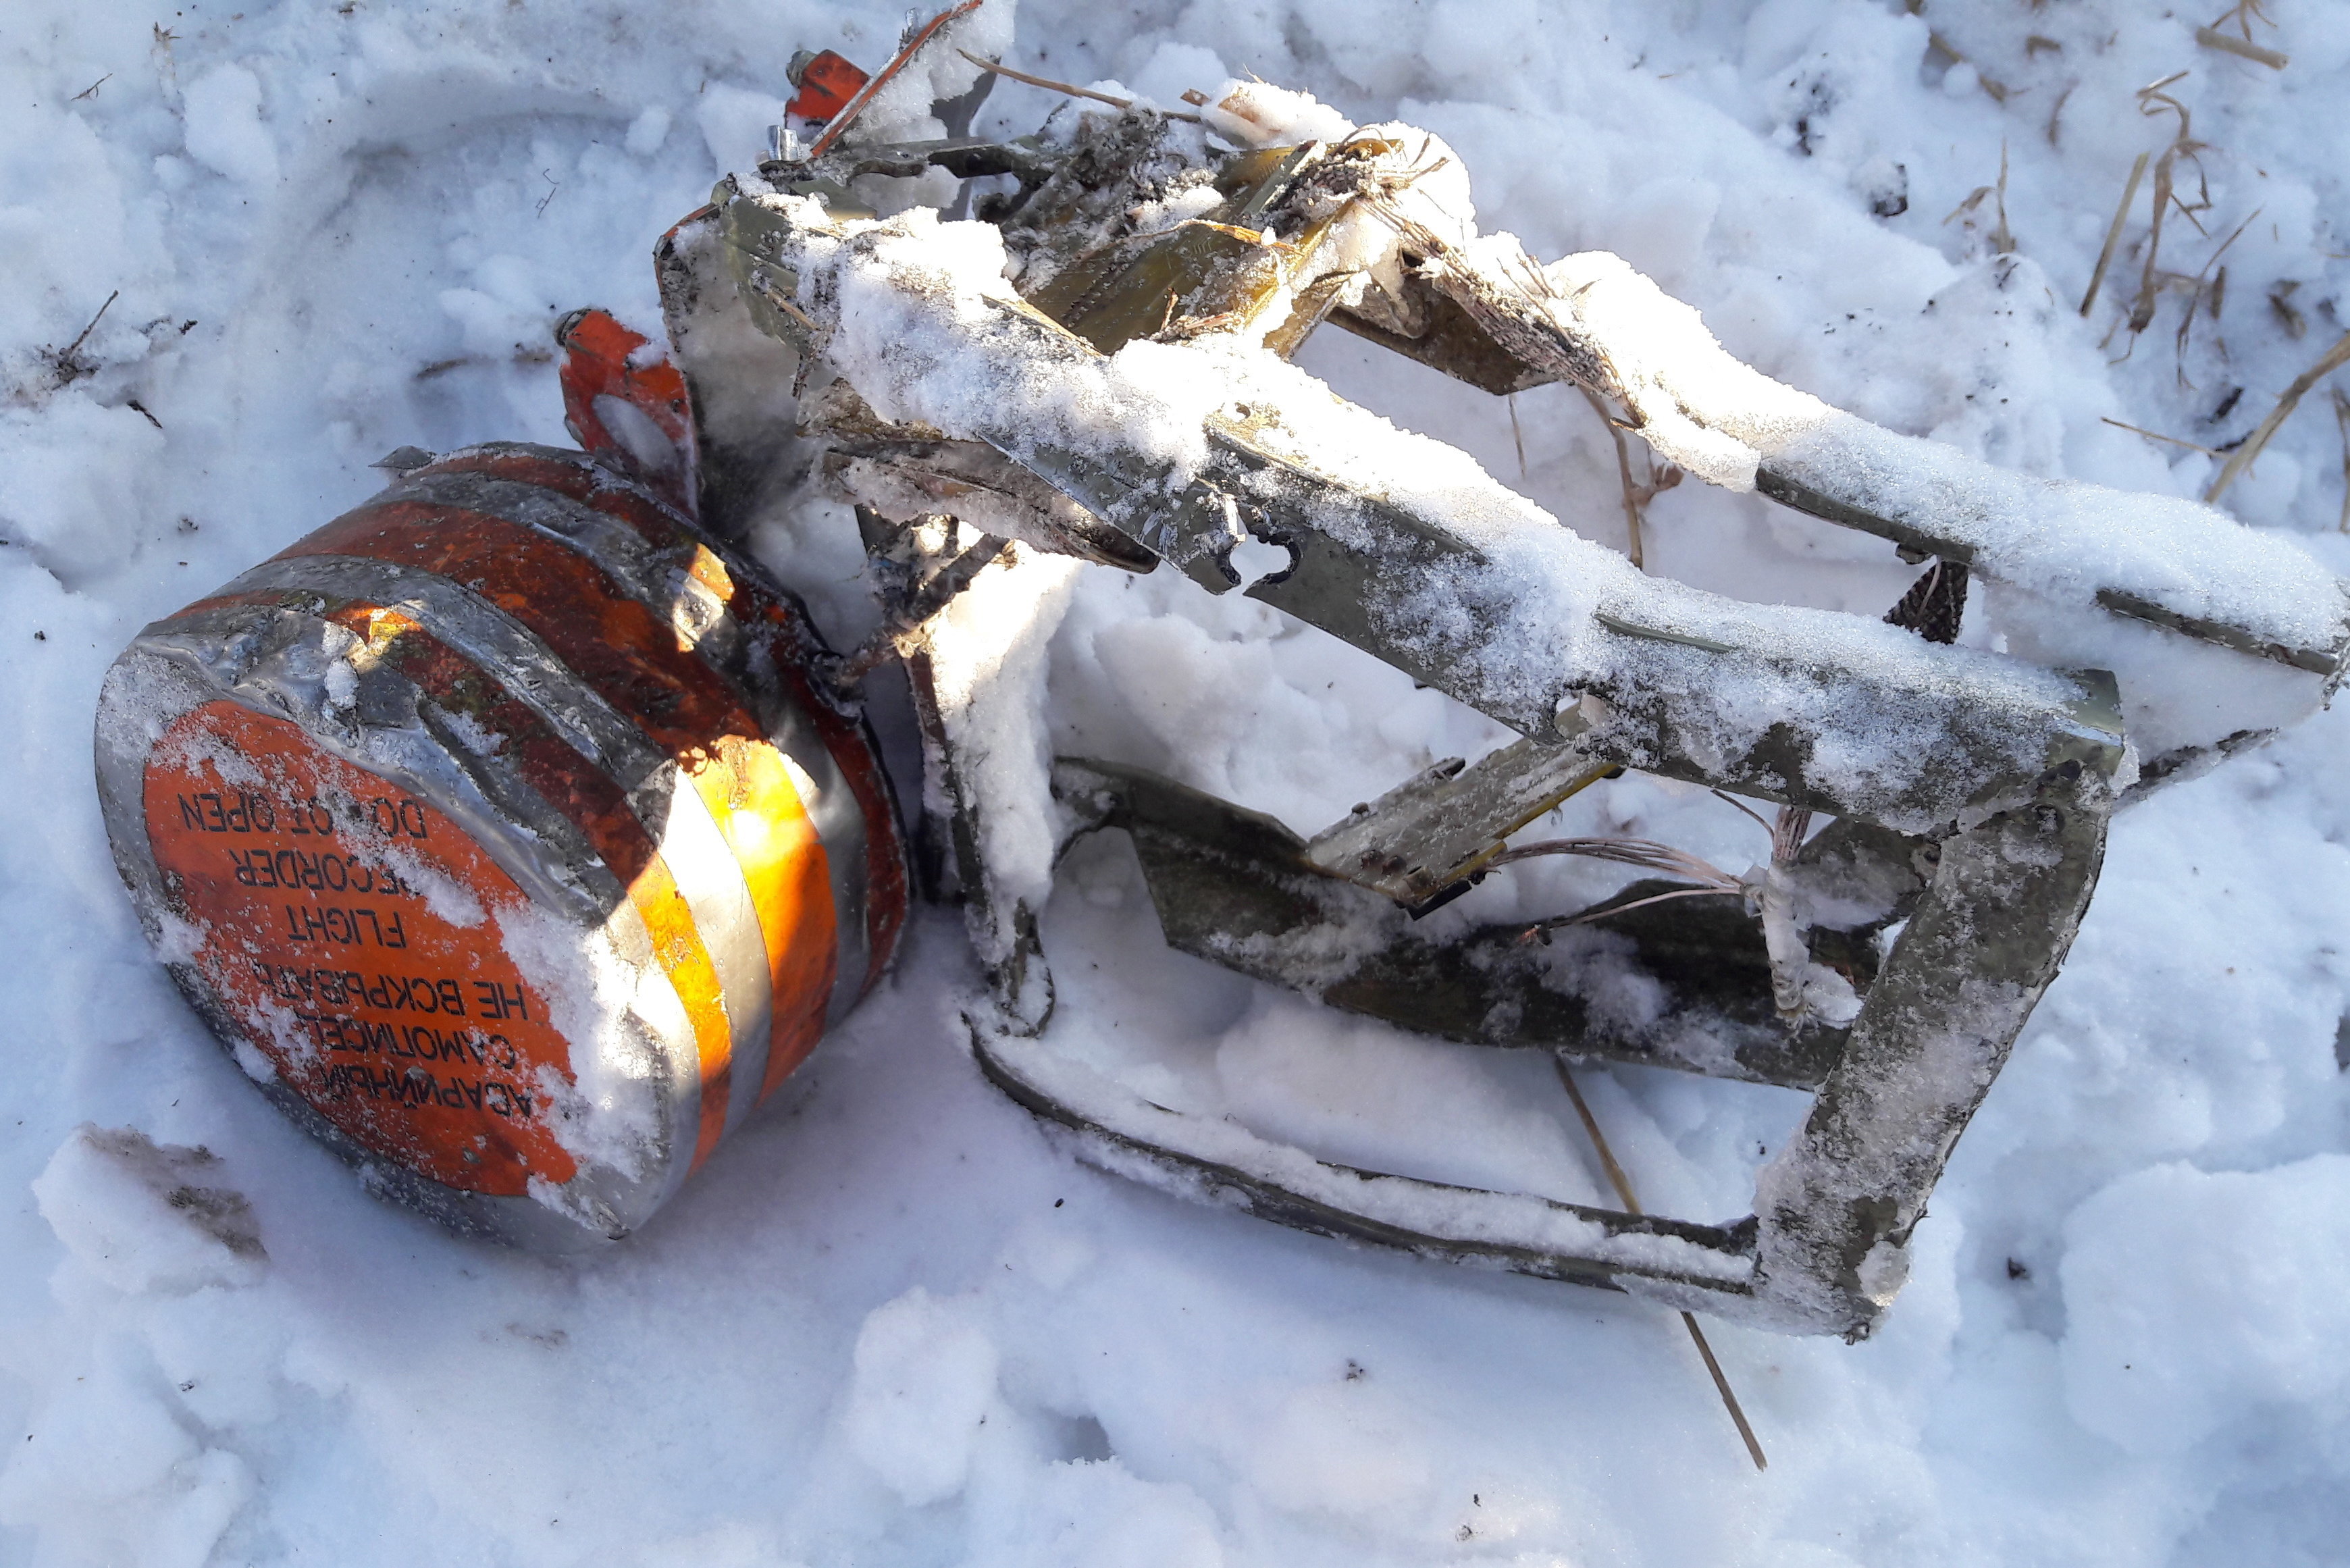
(523, 836)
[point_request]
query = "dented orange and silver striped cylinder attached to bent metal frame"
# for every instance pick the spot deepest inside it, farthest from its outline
(504, 833)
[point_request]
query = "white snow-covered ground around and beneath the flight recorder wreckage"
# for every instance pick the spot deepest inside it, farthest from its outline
(894, 1325)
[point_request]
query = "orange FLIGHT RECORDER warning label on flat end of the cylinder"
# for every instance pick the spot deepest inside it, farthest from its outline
(396, 1014)
